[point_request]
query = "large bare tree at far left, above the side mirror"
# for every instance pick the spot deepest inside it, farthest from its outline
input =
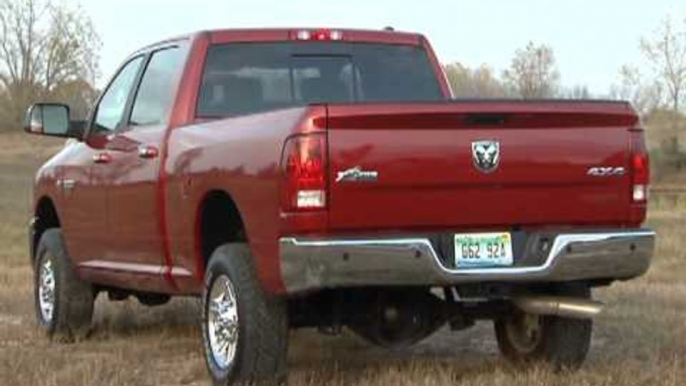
(43, 47)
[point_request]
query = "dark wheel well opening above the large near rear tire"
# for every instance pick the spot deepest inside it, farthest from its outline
(219, 223)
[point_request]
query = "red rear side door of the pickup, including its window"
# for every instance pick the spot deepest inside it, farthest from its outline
(130, 173)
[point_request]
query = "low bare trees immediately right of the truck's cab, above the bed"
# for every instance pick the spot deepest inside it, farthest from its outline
(473, 83)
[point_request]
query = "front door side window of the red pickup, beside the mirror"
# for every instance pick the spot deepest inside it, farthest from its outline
(110, 111)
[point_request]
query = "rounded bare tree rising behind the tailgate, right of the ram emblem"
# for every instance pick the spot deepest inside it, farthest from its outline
(532, 73)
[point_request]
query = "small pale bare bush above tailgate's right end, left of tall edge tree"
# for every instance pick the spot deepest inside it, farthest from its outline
(644, 94)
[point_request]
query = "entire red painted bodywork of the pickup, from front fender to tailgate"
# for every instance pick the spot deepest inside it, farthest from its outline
(134, 222)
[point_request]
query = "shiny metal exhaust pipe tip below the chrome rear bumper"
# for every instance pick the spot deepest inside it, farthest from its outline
(559, 306)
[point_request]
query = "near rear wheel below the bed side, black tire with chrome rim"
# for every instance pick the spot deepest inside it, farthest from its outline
(245, 330)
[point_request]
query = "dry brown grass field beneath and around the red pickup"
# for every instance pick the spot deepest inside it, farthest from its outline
(639, 340)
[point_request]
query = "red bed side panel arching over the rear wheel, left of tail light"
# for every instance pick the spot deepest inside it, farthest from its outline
(241, 157)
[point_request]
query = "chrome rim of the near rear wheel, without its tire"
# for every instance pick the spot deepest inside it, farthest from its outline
(222, 322)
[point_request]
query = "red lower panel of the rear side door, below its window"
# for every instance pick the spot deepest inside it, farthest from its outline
(130, 185)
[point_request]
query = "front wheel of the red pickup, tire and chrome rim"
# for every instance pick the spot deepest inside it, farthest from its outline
(64, 303)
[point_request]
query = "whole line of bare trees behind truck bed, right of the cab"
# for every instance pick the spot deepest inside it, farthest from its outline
(656, 88)
